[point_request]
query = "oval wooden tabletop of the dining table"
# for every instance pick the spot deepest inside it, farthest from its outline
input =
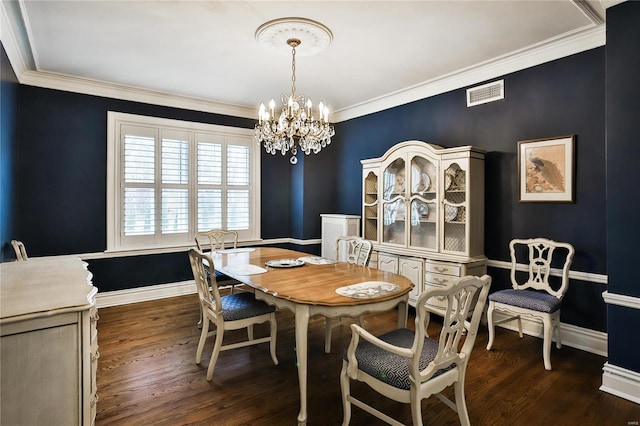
(310, 283)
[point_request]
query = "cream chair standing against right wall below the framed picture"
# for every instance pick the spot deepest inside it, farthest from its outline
(535, 292)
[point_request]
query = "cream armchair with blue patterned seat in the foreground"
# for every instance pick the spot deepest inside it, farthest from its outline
(408, 366)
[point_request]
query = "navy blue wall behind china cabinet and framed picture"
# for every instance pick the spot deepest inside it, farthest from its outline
(566, 96)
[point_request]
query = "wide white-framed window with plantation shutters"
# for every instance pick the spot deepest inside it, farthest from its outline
(168, 179)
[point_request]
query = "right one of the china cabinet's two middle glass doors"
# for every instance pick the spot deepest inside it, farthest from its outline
(423, 201)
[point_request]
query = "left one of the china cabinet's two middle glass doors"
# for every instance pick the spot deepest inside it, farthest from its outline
(394, 203)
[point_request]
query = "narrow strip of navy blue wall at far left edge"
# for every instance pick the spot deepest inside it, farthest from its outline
(8, 141)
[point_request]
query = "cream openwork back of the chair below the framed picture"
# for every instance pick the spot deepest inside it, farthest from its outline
(540, 256)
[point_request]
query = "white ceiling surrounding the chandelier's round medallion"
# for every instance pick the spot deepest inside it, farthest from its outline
(383, 53)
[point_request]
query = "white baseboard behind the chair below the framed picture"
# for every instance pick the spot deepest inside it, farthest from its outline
(571, 335)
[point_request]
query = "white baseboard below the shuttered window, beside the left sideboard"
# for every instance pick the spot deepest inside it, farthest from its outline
(143, 294)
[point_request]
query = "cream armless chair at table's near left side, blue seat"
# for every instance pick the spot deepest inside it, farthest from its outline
(230, 312)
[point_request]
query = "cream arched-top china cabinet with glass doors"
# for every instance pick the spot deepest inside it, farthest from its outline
(423, 209)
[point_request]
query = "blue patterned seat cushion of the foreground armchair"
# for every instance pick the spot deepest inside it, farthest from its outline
(391, 368)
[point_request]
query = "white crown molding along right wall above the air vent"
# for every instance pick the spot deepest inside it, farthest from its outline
(549, 50)
